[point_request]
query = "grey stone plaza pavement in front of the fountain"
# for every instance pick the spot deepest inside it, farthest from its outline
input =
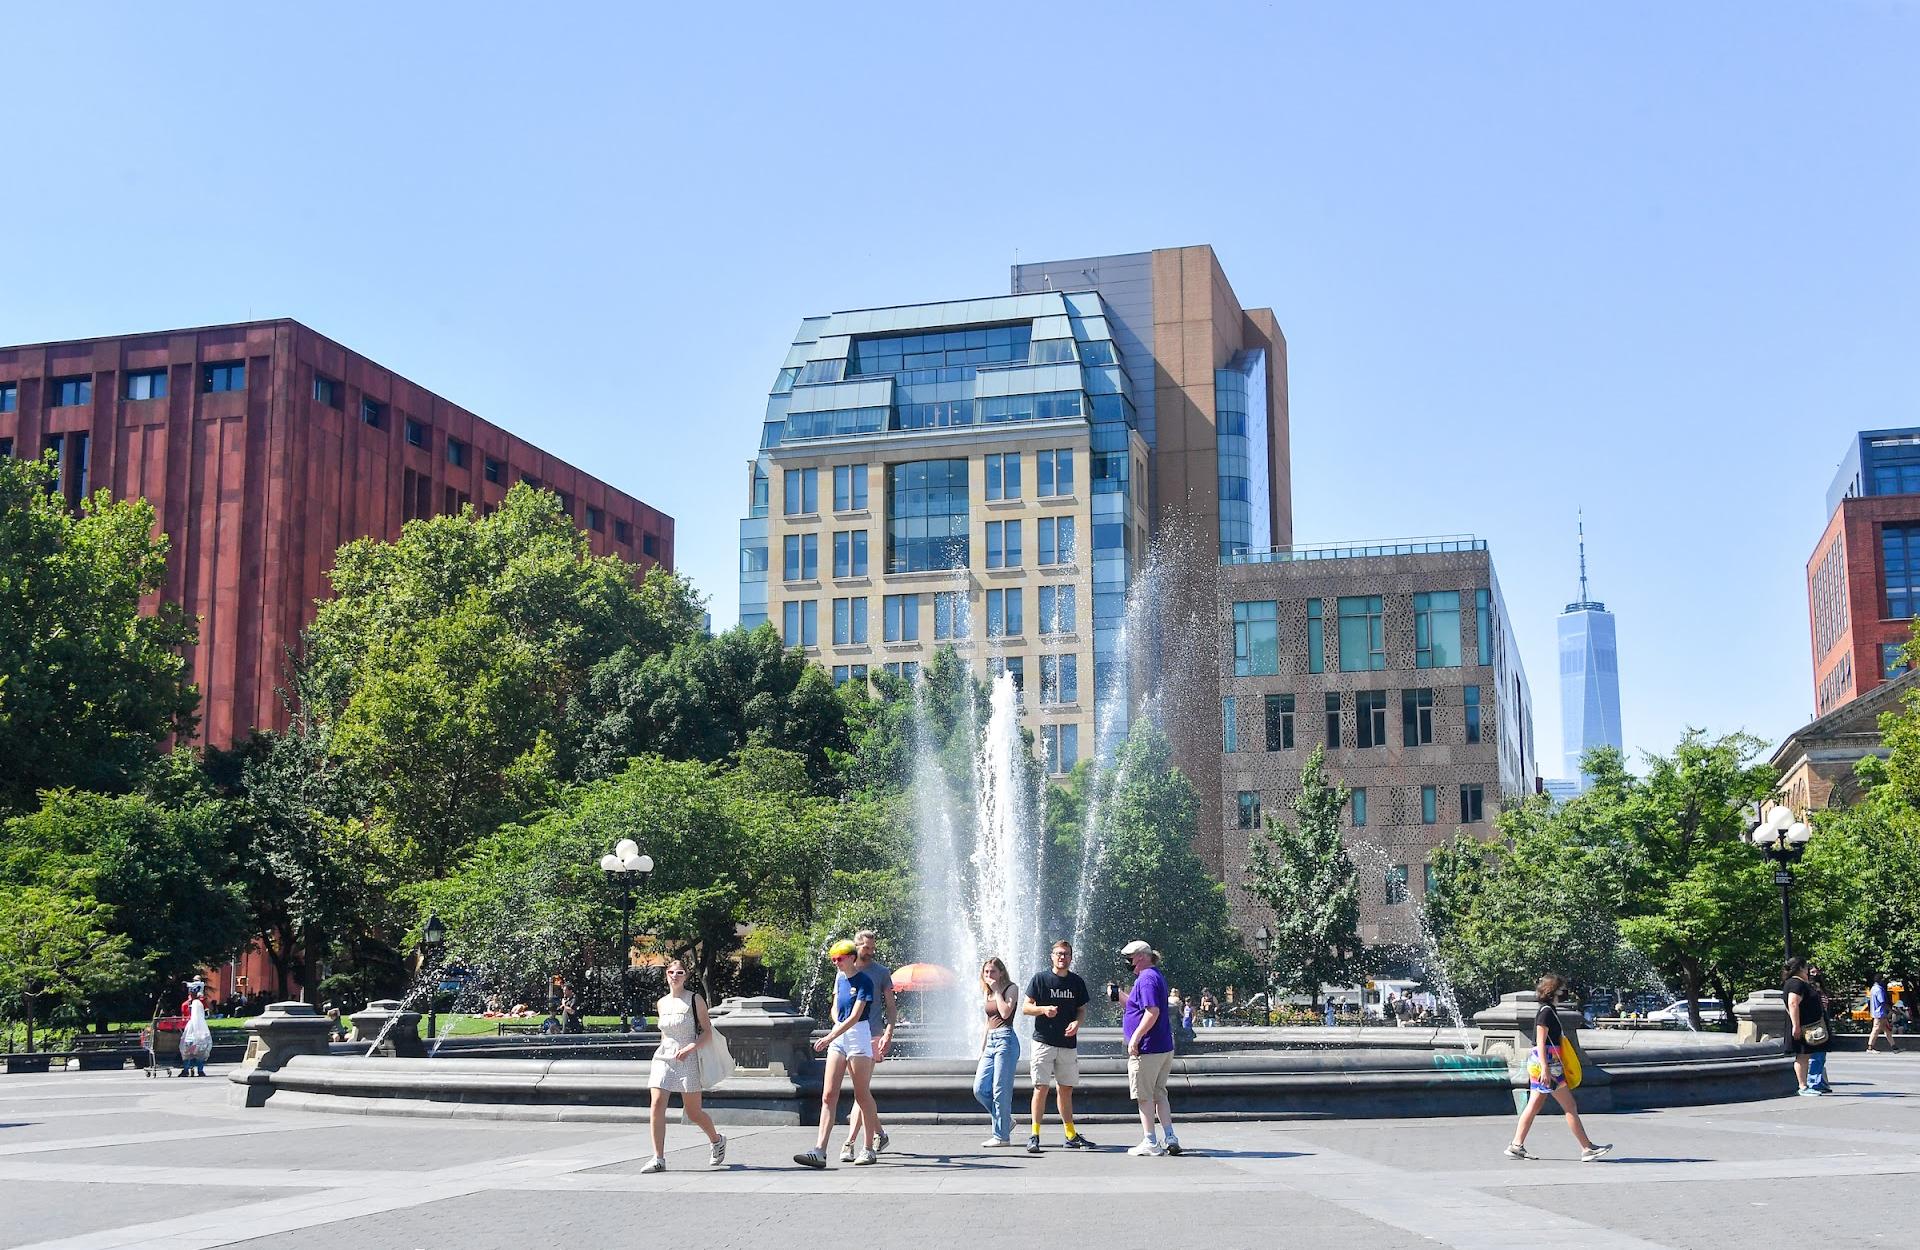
(95, 1161)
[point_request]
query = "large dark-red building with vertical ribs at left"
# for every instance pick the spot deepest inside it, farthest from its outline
(264, 448)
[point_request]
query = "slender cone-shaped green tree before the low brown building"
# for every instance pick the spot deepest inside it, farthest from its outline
(1307, 880)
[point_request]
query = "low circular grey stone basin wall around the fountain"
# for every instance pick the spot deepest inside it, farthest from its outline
(1295, 1076)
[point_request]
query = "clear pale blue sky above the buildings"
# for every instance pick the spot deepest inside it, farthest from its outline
(1648, 260)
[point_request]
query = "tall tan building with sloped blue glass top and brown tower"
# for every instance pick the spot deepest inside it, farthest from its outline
(990, 475)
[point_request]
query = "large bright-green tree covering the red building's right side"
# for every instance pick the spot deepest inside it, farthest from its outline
(456, 663)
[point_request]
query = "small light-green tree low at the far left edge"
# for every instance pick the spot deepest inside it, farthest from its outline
(60, 950)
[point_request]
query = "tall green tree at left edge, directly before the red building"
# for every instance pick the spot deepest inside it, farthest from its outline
(89, 685)
